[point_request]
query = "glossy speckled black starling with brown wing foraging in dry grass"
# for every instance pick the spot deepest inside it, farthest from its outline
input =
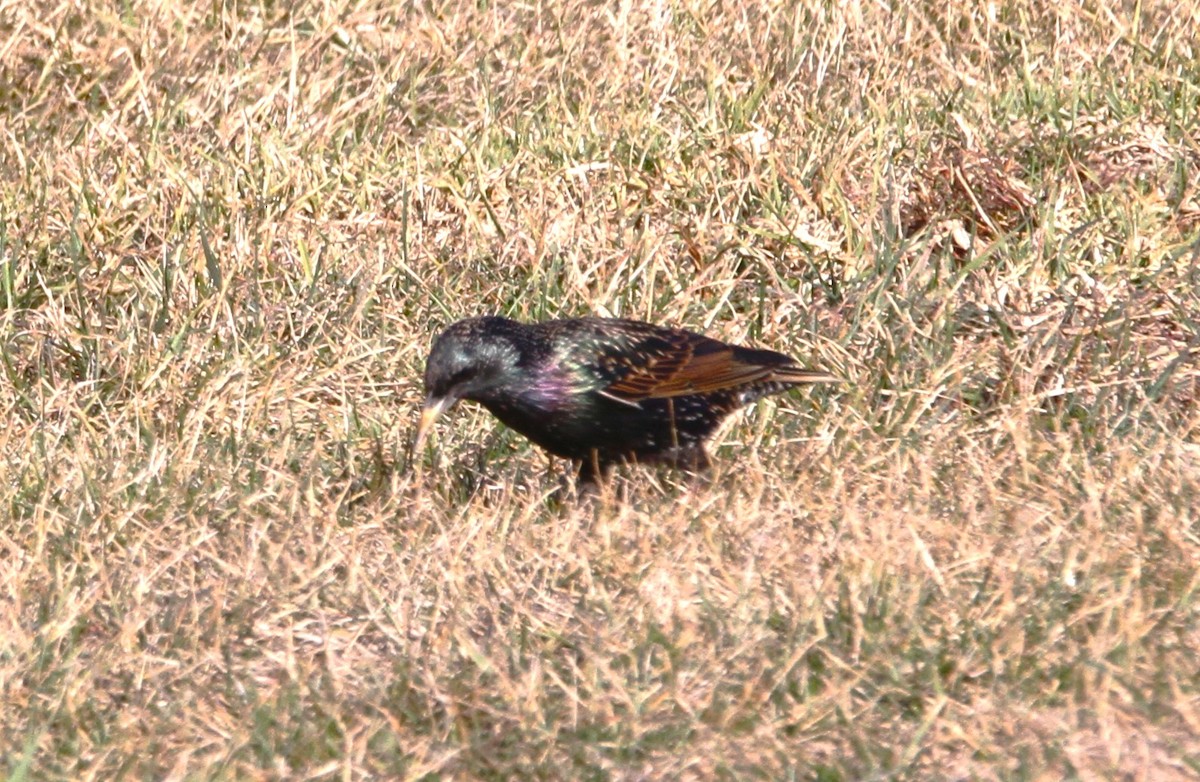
(603, 390)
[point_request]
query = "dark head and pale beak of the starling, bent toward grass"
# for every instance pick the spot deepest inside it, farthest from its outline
(470, 360)
